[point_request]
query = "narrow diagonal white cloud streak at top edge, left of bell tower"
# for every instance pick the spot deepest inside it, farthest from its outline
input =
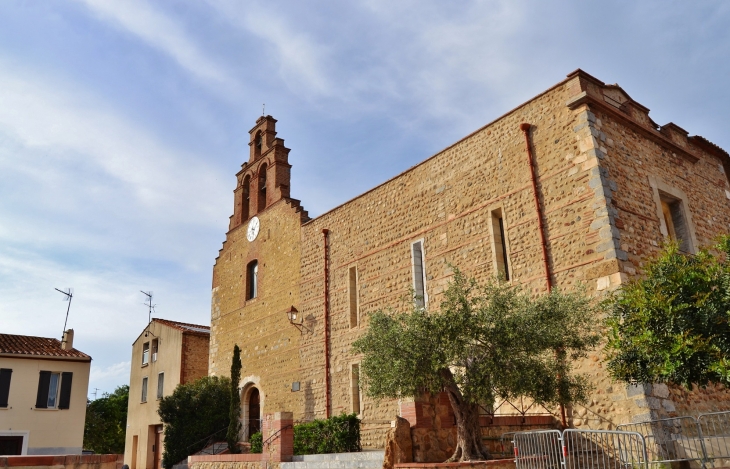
(159, 31)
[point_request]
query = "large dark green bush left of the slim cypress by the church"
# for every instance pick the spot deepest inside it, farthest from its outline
(191, 413)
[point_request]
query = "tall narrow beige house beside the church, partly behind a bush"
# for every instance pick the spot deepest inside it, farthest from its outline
(166, 353)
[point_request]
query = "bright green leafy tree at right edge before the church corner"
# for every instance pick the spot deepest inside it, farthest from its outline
(672, 324)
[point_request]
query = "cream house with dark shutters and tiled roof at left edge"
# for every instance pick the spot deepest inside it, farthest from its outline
(43, 389)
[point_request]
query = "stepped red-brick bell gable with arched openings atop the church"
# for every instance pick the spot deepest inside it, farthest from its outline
(264, 179)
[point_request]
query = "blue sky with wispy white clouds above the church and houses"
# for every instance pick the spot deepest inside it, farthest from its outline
(123, 123)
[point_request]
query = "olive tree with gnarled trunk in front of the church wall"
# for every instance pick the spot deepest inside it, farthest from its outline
(484, 342)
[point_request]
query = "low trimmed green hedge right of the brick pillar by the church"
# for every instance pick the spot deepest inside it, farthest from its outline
(339, 434)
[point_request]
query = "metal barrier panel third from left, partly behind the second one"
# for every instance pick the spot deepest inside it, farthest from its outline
(671, 440)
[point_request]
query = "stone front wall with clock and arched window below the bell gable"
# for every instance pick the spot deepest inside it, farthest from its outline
(270, 345)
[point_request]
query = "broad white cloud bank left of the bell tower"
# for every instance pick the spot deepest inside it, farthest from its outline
(79, 160)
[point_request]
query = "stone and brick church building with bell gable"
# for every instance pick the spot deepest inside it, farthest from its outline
(604, 171)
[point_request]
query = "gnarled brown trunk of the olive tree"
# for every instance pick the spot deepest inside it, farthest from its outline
(469, 444)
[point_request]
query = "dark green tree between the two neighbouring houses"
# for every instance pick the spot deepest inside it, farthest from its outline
(106, 422)
